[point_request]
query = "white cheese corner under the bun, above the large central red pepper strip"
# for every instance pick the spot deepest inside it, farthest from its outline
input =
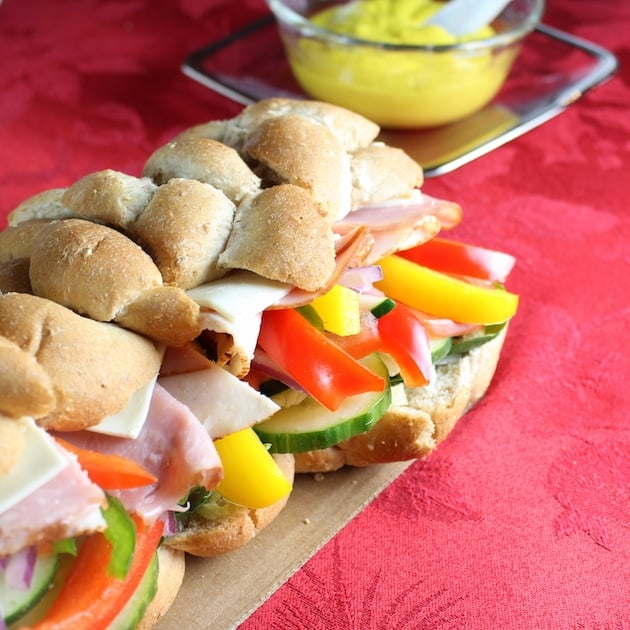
(239, 293)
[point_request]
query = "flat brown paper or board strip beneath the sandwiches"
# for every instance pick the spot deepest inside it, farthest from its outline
(220, 593)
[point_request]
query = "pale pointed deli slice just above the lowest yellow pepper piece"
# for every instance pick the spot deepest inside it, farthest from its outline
(223, 403)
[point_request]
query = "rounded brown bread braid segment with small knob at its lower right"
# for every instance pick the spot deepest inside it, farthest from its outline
(99, 272)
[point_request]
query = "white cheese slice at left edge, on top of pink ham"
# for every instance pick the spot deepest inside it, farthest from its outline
(40, 461)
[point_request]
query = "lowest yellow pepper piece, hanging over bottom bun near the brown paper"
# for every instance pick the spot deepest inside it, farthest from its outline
(251, 477)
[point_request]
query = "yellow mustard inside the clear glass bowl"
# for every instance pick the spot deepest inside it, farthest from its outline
(397, 88)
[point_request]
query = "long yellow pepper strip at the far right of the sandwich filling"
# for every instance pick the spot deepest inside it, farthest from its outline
(439, 294)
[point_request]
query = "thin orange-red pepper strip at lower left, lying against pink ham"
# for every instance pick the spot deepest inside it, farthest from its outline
(110, 472)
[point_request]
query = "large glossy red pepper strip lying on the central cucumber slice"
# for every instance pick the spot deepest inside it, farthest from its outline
(316, 363)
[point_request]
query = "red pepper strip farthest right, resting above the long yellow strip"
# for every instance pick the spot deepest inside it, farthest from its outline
(461, 259)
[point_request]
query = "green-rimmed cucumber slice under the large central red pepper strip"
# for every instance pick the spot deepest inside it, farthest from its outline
(310, 426)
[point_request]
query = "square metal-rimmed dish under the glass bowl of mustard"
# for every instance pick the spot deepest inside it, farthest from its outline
(553, 70)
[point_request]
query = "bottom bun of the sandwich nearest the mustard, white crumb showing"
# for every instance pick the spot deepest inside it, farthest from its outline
(414, 430)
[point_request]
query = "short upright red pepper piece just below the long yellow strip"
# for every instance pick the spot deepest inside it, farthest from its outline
(406, 341)
